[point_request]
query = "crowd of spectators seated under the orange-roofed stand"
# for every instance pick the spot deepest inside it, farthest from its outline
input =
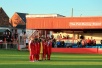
(80, 43)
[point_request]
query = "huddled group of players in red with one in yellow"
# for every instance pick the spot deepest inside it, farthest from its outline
(40, 49)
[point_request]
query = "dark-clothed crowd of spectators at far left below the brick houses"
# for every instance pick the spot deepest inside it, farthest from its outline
(9, 36)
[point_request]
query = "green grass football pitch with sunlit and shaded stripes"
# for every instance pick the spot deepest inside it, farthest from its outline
(20, 59)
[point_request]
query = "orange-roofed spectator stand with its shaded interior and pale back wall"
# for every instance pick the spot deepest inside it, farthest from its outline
(74, 27)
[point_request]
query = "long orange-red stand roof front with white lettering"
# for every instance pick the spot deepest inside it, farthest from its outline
(65, 23)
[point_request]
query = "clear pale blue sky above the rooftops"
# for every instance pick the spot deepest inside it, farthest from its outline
(63, 7)
